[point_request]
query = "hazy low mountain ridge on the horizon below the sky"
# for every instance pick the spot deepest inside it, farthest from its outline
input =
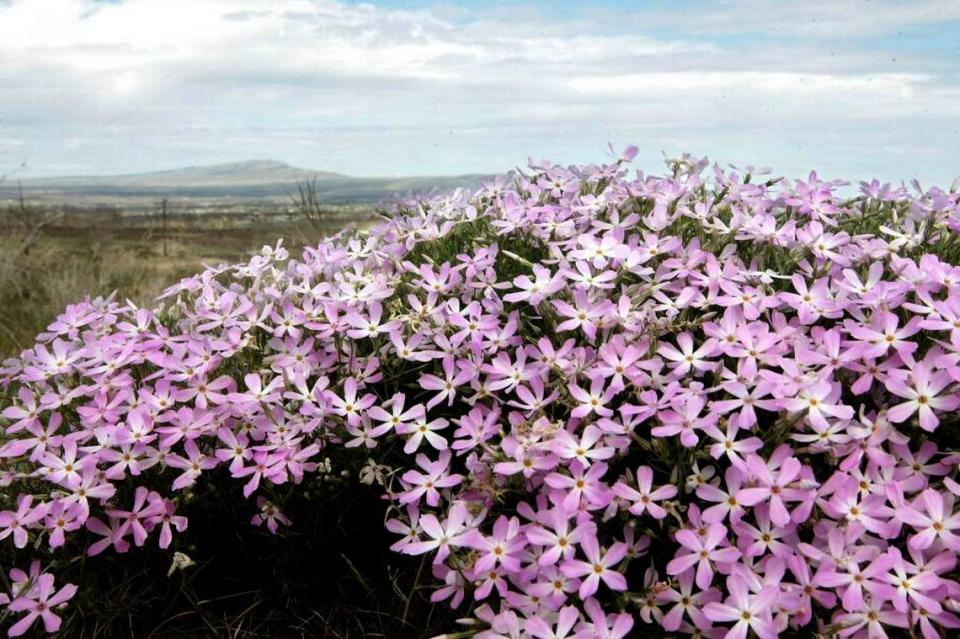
(253, 179)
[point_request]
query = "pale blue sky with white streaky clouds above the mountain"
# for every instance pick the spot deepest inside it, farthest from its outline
(853, 89)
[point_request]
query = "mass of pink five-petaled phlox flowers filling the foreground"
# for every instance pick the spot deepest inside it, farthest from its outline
(595, 400)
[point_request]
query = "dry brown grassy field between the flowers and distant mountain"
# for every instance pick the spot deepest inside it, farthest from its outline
(52, 255)
